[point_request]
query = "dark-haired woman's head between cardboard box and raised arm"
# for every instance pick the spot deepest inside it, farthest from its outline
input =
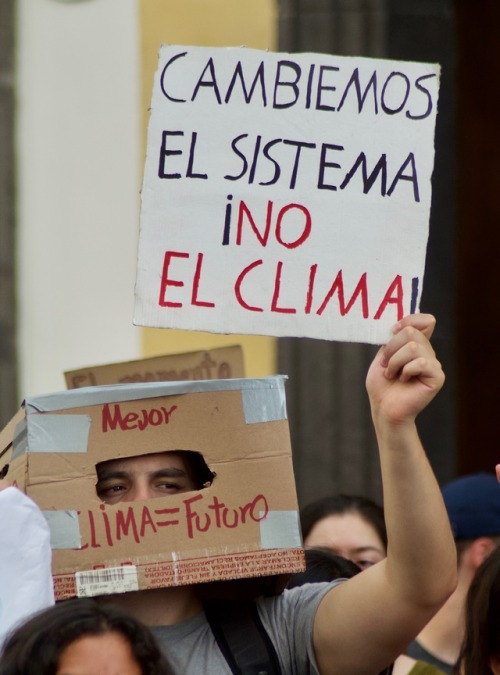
(350, 526)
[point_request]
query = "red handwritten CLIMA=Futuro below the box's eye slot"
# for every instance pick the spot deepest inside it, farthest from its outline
(195, 516)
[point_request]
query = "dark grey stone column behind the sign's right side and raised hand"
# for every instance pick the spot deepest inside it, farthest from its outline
(332, 437)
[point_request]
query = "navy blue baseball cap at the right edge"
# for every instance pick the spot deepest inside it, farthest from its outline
(473, 505)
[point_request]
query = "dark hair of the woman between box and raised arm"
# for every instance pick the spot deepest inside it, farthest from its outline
(340, 504)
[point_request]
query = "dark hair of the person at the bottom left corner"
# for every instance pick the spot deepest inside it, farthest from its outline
(35, 647)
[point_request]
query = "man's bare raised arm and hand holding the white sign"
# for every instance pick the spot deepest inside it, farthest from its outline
(364, 623)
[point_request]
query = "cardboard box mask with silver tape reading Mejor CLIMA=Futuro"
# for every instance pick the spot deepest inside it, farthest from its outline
(232, 529)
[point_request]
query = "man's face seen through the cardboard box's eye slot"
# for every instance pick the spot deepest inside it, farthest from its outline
(134, 479)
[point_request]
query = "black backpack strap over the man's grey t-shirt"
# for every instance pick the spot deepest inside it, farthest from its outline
(242, 638)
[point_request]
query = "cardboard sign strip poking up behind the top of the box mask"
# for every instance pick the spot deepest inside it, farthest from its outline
(211, 364)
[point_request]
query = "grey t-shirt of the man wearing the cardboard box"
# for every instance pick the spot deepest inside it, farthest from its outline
(288, 619)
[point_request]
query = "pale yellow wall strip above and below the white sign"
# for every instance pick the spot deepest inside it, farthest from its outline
(229, 23)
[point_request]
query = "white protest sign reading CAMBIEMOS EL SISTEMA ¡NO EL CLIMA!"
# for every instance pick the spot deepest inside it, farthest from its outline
(285, 194)
